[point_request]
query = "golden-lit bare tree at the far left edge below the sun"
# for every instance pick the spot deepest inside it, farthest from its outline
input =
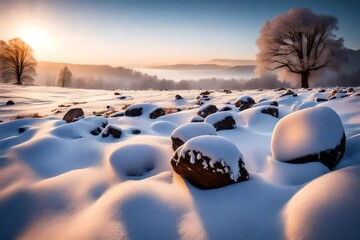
(17, 62)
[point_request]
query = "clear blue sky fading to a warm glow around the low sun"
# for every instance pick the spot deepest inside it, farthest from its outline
(136, 32)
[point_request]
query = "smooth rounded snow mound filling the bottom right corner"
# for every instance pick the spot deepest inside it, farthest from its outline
(326, 208)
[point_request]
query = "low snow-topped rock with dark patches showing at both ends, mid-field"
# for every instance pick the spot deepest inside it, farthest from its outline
(153, 111)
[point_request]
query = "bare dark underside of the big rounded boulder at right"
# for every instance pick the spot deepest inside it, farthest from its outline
(329, 157)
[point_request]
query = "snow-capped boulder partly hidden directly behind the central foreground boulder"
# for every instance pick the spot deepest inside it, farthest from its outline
(189, 130)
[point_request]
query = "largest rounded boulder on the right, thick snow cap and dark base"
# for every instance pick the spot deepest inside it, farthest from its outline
(310, 135)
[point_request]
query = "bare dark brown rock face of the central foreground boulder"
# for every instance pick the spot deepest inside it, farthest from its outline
(206, 178)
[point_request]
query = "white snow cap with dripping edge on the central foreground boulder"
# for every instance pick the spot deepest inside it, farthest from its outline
(218, 149)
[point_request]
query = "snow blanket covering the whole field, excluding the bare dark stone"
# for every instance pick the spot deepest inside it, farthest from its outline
(60, 181)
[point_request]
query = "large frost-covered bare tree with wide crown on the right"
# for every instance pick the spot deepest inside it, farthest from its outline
(298, 42)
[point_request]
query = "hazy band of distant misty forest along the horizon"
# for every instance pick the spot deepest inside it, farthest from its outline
(107, 77)
